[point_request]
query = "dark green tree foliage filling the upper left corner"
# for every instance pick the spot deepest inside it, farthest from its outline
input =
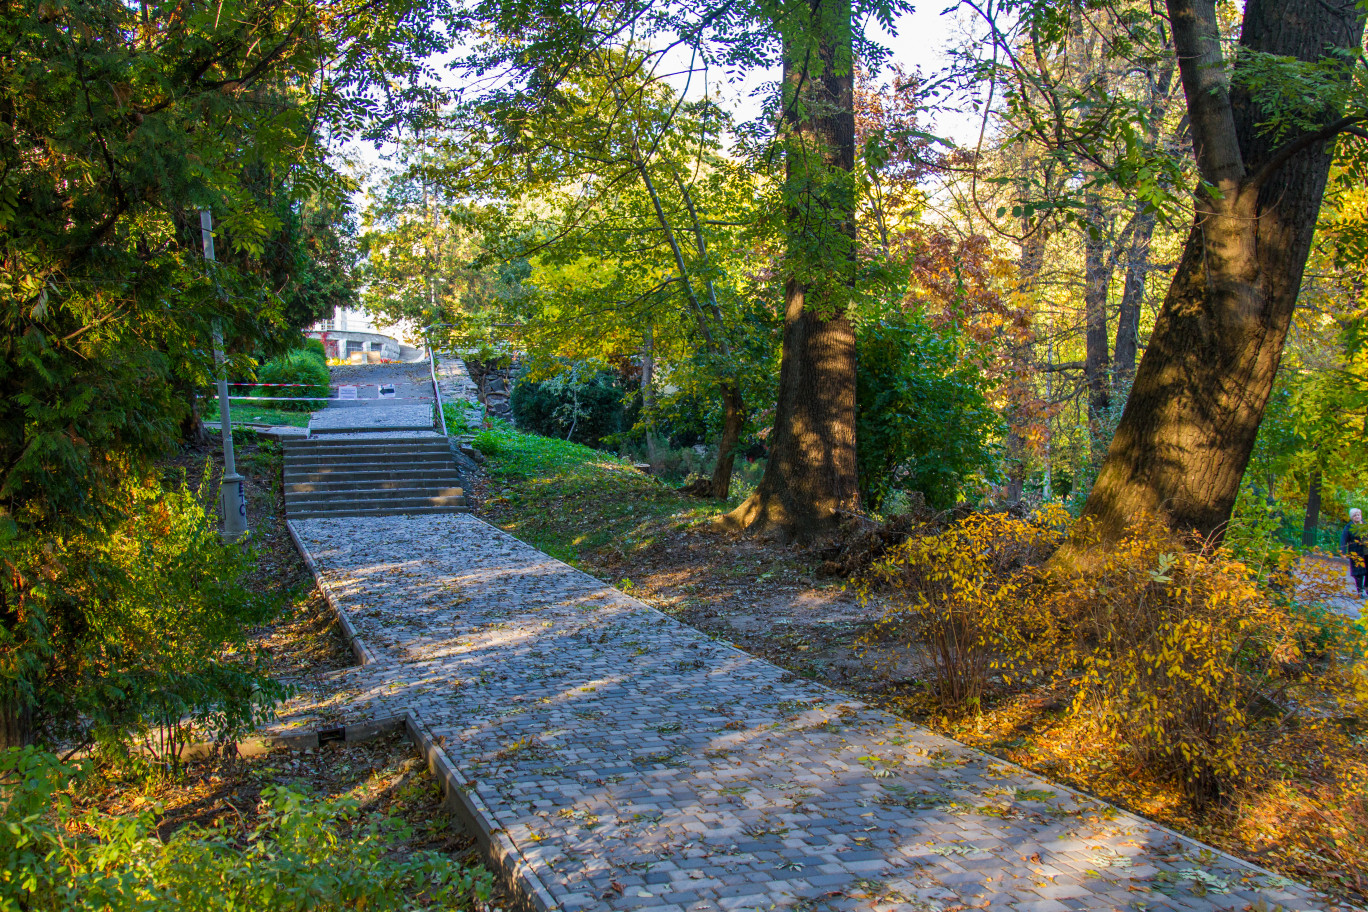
(124, 121)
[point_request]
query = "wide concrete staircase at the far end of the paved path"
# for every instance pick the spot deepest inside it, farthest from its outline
(366, 478)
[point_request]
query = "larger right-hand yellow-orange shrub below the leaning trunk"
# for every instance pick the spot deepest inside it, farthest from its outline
(1185, 658)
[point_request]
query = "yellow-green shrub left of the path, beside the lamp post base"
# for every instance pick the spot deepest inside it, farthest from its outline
(148, 641)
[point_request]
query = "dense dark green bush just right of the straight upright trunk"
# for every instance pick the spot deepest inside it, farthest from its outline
(924, 422)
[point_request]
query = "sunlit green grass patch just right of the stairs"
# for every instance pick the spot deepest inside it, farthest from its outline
(570, 500)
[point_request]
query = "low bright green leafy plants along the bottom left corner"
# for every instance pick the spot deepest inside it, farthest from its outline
(307, 854)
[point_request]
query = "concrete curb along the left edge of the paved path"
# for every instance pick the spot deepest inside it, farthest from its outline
(499, 851)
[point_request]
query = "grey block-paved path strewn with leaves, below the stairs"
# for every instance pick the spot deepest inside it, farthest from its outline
(627, 762)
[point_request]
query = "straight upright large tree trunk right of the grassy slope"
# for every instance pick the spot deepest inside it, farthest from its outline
(811, 477)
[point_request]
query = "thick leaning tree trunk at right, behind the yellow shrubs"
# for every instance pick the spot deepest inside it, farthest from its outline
(1202, 388)
